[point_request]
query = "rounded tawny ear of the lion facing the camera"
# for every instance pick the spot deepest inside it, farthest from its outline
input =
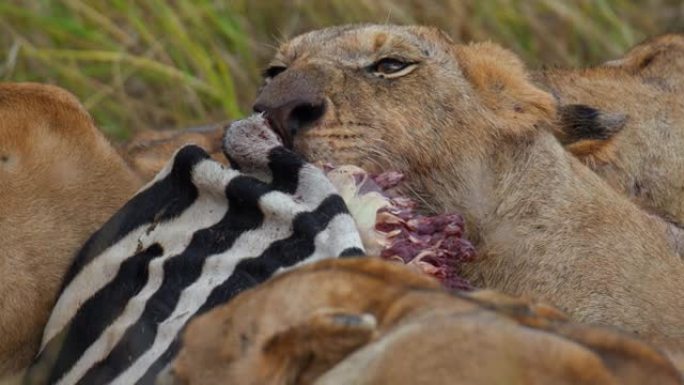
(503, 86)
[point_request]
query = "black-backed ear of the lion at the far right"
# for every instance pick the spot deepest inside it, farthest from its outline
(587, 132)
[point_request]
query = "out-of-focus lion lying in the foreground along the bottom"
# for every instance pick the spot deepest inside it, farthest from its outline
(367, 321)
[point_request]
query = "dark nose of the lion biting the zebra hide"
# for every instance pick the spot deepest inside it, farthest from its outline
(291, 117)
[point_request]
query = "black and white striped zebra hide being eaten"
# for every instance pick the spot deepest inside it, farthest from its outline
(190, 240)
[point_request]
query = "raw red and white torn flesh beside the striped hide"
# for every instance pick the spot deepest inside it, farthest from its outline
(391, 228)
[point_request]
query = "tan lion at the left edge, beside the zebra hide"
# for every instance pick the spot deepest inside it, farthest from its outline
(61, 179)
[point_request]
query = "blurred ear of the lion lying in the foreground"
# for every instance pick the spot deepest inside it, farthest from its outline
(308, 349)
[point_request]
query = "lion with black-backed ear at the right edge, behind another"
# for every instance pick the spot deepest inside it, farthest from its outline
(632, 141)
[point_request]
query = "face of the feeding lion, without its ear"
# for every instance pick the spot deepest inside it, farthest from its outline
(367, 85)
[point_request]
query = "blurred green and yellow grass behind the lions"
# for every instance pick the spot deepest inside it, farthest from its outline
(160, 64)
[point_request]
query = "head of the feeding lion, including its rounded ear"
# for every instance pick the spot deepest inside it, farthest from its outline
(377, 96)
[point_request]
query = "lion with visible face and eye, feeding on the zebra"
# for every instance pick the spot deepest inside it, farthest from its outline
(474, 134)
